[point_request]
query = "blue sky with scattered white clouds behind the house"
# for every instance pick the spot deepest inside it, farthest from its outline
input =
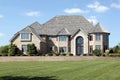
(17, 14)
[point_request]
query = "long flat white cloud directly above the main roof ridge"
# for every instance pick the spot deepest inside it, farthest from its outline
(74, 10)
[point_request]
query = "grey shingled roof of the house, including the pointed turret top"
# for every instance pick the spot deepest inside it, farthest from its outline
(62, 25)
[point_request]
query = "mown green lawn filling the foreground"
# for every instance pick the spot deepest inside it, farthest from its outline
(62, 70)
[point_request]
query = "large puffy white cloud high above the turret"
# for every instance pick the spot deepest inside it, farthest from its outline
(96, 6)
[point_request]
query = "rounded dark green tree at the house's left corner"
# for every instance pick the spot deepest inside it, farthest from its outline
(13, 50)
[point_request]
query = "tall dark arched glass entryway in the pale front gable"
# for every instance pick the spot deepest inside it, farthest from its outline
(79, 45)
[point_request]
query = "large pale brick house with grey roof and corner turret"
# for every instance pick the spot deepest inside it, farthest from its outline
(73, 34)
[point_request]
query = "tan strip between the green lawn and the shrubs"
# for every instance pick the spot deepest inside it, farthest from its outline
(53, 58)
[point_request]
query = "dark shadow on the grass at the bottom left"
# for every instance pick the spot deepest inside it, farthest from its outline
(27, 78)
